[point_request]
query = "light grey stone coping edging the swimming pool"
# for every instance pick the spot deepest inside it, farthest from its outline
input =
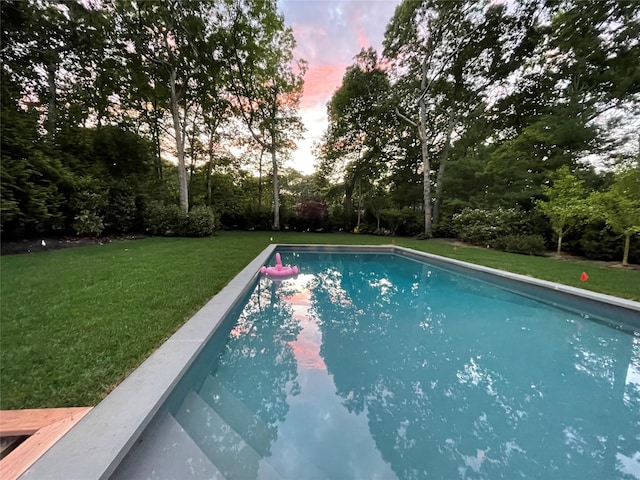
(97, 444)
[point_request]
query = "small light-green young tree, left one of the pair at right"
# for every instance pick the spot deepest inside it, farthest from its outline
(565, 205)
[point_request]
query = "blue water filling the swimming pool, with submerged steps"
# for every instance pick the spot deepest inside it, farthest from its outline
(378, 366)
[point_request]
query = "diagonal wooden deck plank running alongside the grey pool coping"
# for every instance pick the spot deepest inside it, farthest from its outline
(18, 461)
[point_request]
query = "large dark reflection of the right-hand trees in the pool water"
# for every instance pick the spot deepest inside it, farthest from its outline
(459, 379)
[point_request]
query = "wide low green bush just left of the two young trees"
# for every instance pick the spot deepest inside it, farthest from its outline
(484, 227)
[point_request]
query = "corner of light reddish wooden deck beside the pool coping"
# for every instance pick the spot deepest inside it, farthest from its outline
(44, 428)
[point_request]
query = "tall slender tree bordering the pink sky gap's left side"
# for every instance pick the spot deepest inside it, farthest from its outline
(265, 80)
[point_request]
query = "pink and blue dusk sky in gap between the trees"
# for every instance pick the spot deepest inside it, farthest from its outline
(329, 33)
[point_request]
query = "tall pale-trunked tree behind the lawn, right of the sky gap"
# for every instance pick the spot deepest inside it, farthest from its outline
(447, 57)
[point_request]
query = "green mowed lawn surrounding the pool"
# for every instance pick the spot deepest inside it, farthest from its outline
(75, 322)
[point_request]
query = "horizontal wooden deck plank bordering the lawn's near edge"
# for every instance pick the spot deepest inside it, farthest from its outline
(27, 422)
